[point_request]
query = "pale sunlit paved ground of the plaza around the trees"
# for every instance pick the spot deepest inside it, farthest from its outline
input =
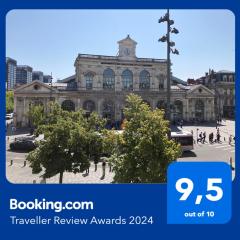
(18, 173)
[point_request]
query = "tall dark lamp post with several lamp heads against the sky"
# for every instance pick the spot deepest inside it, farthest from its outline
(170, 45)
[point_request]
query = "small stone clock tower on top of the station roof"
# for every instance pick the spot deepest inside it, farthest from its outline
(127, 48)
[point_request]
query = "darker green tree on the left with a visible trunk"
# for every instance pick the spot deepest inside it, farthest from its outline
(70, 142)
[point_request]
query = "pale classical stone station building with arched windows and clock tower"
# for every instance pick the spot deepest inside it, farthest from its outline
(101, 83)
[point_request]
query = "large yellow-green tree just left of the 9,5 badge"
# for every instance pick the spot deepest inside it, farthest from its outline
(144, 151)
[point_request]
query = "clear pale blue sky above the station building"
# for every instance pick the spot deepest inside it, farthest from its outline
(50, 40)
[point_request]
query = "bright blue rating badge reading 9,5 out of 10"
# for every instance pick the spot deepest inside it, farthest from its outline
(199, 193)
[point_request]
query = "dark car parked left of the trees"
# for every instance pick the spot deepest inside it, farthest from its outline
(23, 144)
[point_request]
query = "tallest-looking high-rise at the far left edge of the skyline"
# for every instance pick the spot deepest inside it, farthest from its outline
(11, 66)
